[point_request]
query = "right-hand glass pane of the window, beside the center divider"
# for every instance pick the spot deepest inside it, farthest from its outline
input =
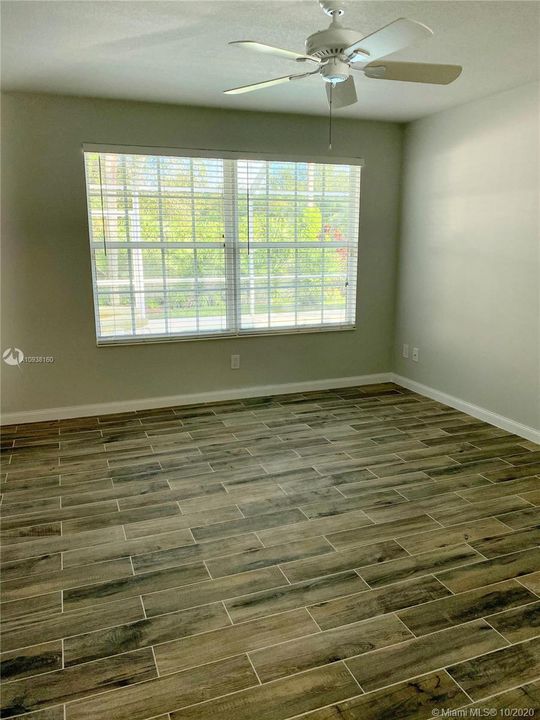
(297, 227)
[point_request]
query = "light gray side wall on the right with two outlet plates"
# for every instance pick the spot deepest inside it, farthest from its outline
(469, 257)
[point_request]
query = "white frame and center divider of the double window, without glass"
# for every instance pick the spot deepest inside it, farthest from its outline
(231, 245)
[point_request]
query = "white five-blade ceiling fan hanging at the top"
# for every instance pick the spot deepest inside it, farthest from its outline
(338, 50)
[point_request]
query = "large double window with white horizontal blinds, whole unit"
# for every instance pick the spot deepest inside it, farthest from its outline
(186, 247)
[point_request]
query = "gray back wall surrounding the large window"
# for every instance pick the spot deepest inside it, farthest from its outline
(46, 284)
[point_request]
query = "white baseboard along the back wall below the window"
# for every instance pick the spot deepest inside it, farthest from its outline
(73, 411)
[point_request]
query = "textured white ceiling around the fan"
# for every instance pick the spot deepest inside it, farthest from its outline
(177, 52)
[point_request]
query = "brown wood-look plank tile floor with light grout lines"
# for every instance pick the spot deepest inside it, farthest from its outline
(363, 553)
